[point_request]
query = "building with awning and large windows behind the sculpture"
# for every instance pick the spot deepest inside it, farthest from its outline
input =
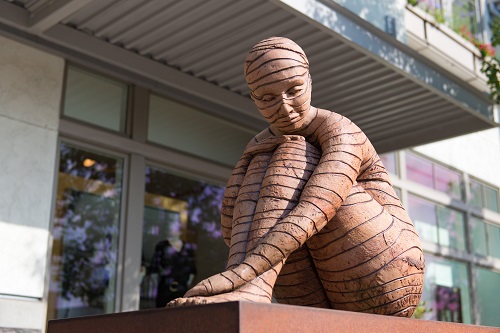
(120, 122)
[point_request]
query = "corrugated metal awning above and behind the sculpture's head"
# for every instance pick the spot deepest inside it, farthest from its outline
(198, 47)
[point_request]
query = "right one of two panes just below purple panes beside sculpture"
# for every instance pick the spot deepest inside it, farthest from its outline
(451, 228)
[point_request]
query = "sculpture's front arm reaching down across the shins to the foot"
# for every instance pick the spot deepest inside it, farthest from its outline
(327, 188)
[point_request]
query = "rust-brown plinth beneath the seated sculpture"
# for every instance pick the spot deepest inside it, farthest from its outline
(249, 317)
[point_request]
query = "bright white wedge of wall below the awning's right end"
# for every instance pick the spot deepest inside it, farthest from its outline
(477, 154)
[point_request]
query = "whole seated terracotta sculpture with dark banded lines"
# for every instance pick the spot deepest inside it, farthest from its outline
(309, 212)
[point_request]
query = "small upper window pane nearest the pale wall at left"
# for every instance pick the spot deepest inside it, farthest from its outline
(95, 99)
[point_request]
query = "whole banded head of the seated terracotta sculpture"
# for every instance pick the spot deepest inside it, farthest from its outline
(277, 73)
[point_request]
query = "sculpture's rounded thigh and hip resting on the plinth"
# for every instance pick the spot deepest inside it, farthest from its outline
(367, 259)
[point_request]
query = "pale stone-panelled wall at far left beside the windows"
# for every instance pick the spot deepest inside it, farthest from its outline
(30, 96)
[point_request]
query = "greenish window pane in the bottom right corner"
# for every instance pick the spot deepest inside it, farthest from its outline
(487, 297)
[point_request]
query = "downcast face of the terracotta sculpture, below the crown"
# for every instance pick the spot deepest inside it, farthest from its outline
(281, 90)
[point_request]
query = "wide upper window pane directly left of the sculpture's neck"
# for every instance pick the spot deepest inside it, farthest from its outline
(183, 128)
